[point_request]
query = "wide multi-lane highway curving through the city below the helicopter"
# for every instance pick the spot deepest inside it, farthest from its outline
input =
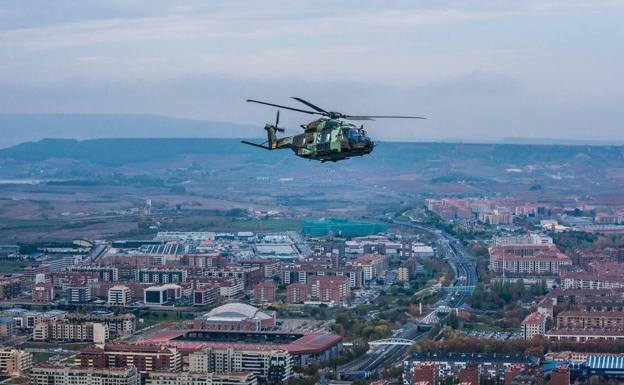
(465, 275)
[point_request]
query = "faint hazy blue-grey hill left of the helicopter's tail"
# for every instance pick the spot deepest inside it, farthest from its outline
(19, 128)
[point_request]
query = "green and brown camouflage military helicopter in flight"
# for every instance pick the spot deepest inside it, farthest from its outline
(330, 138)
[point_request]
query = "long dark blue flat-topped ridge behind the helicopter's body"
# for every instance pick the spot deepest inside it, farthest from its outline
(115, 152)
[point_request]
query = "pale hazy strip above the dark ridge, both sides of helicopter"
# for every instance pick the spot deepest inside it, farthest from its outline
(33, 127)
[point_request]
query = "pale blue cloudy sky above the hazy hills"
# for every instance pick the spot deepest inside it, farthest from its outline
(478, 70)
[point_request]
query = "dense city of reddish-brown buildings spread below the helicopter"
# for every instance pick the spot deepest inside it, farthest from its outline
(457, 291)
